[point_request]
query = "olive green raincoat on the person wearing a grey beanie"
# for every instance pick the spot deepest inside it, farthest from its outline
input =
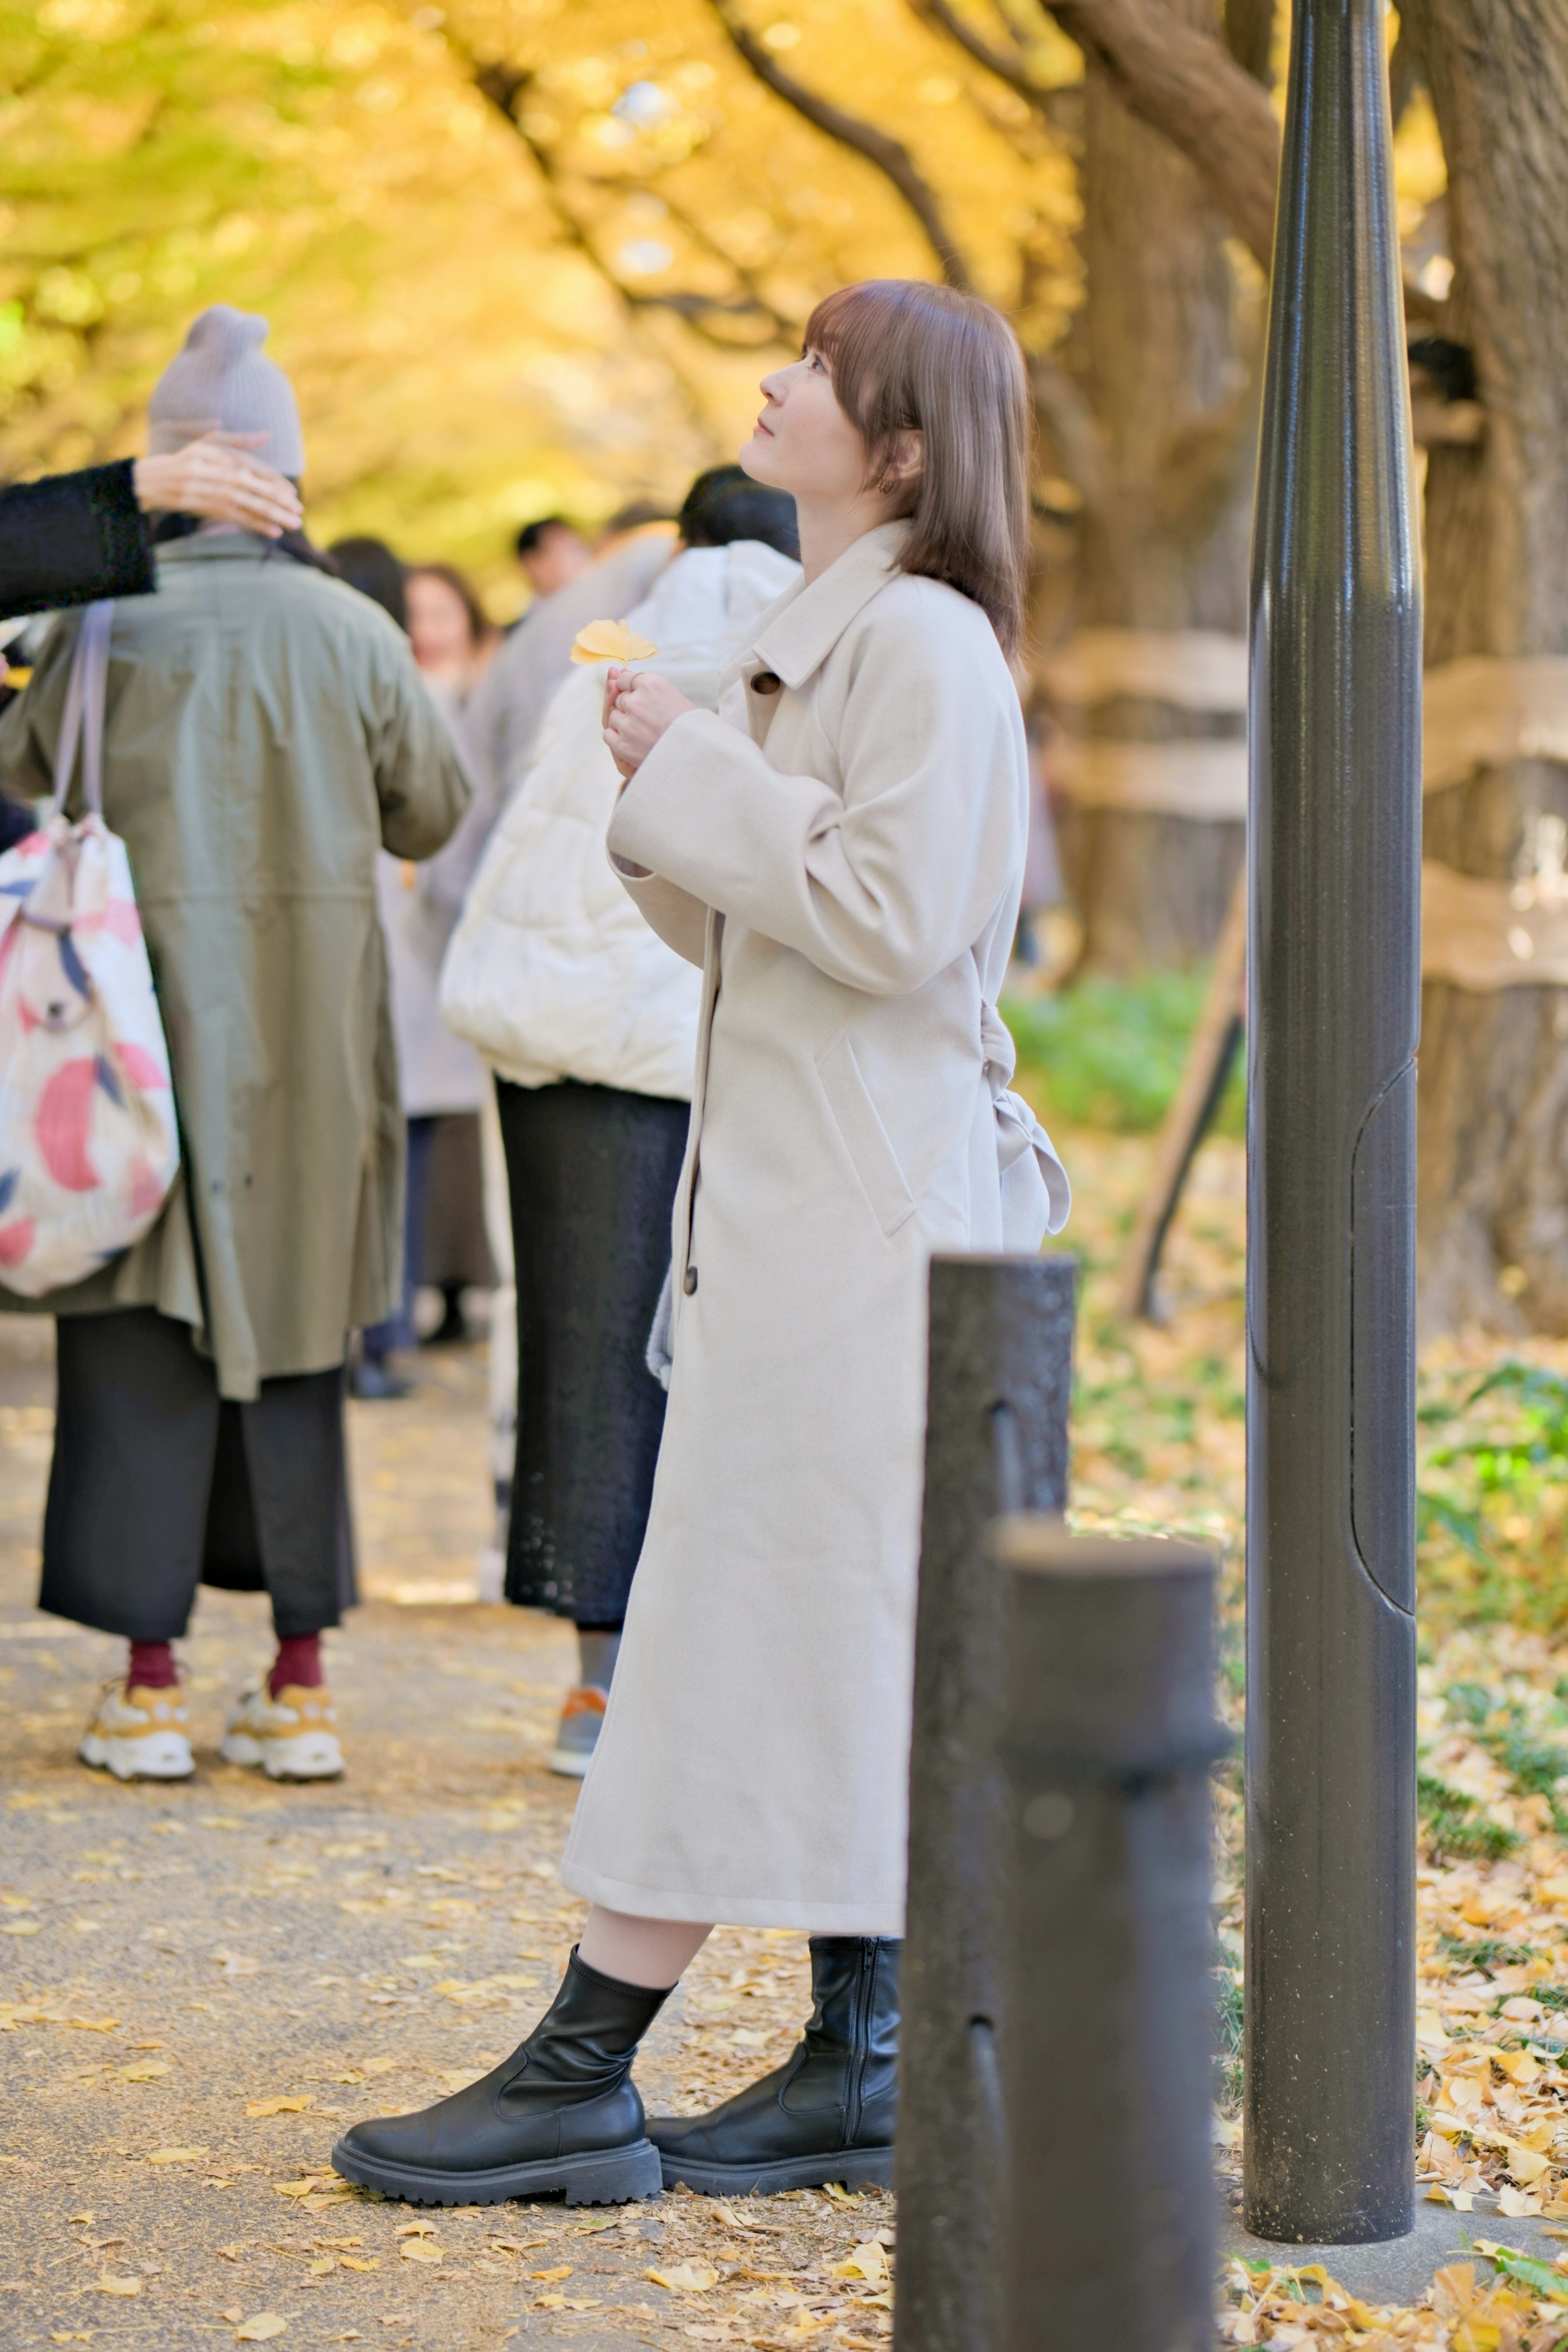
(267, 730)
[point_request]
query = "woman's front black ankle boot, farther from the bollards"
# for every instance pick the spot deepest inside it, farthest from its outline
(561, 2113)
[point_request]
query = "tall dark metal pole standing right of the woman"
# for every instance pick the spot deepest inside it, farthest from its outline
(1334, 961)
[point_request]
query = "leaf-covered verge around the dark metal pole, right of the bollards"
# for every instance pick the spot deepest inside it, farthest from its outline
(1160, 1443)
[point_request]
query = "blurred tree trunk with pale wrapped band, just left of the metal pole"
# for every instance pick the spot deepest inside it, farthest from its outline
(1165, 533)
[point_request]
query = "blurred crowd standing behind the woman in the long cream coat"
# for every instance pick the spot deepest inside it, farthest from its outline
(500, 1147)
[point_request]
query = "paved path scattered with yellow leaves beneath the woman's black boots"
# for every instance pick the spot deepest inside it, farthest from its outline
(173, 1958)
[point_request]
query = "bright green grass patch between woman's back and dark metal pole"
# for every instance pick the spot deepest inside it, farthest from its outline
(1111, 1053)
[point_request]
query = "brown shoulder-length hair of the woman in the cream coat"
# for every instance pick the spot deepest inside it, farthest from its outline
(918, 359)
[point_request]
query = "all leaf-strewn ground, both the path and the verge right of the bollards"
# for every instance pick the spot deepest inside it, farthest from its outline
(201, 1986)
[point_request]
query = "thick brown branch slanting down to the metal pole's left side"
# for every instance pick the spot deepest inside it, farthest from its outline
(1191, 88)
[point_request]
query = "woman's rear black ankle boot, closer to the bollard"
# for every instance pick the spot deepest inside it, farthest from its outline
(829, 2111)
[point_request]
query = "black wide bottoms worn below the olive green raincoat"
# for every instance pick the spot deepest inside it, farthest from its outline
(161, 1485)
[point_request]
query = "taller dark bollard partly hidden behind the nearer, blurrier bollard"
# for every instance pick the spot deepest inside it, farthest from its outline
(996, 1441)
